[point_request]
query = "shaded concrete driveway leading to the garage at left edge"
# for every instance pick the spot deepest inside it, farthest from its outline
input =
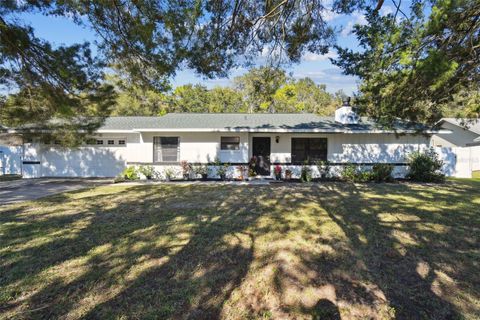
(30, 189)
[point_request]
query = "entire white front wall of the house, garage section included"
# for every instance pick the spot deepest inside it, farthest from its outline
(204, 147)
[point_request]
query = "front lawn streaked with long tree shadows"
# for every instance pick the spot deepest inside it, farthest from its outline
(322, 251)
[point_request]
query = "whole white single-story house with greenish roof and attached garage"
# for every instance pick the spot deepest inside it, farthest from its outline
(285, 139)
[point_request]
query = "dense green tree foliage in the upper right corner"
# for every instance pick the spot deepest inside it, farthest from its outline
(413, 66)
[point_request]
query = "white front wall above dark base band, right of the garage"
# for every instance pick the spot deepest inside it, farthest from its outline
(204, 147)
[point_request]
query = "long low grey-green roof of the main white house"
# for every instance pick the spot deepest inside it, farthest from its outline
(258, 122)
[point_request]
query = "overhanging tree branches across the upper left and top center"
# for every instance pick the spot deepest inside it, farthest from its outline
(149, 41)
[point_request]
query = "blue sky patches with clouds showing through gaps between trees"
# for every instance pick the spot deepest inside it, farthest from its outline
(61, 30)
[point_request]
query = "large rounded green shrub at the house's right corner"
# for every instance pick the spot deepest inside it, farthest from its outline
(425, 166)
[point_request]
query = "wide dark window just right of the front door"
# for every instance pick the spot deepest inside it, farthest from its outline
(309, 149)
